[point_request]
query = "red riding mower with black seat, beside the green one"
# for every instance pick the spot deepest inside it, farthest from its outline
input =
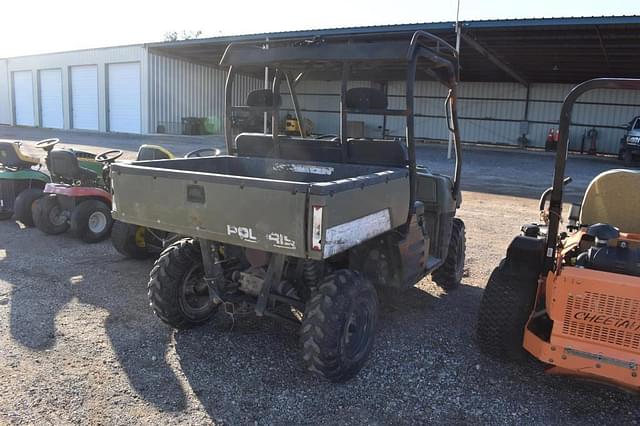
(78, 198)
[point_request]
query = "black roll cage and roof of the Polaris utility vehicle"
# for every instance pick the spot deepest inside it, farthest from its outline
(284, 56)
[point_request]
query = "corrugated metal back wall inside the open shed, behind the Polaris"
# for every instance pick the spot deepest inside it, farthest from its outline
(491, 113)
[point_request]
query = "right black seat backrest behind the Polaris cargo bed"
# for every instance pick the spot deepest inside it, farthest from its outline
(378, 152)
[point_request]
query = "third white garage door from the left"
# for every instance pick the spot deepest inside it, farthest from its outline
(84, 97)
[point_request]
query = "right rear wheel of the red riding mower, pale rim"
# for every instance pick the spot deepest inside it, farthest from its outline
(91, 221)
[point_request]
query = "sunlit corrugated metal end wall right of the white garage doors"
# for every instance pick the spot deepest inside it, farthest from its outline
(180, 89)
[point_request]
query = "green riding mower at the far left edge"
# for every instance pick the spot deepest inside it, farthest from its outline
(21, 182)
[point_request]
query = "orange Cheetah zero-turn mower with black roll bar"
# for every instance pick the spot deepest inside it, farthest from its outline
(572, 299)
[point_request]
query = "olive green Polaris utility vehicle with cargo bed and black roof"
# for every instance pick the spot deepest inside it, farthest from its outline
(299, 228)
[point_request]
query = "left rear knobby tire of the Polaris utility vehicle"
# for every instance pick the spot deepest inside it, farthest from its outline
(177, 291)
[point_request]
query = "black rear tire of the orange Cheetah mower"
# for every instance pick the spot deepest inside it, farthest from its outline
(506, 305)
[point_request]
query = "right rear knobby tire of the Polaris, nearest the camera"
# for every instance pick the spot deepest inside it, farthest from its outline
(338, 326)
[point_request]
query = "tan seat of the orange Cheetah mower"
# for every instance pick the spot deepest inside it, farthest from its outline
(613, 197)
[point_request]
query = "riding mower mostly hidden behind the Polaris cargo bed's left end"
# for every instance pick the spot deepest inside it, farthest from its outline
(141, 242)
